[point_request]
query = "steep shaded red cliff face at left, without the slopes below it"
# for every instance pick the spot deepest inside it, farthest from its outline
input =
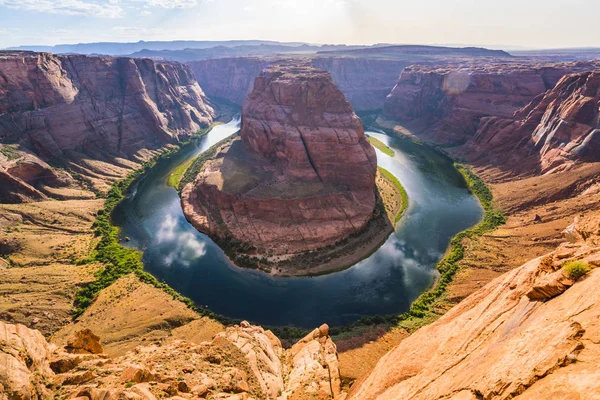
(53, 104)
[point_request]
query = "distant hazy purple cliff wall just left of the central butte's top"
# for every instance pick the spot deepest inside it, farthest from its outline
(228, 78)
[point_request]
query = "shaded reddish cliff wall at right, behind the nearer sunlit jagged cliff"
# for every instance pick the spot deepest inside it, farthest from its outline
(446, 103)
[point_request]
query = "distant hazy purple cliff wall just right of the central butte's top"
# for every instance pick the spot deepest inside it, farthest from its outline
(365, 82)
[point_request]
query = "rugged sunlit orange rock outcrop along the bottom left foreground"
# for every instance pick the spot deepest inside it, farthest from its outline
(244, 362)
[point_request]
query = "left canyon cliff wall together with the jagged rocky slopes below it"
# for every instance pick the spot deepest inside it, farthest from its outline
(69, 110)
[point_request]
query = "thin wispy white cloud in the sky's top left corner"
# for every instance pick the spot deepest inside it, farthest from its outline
(104, 9)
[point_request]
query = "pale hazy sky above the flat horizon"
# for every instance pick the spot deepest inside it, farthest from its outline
(527, 23)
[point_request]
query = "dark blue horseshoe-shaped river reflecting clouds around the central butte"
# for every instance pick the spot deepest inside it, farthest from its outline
(386, 282)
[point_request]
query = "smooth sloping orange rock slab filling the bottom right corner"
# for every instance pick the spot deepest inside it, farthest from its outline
(530, 334)
